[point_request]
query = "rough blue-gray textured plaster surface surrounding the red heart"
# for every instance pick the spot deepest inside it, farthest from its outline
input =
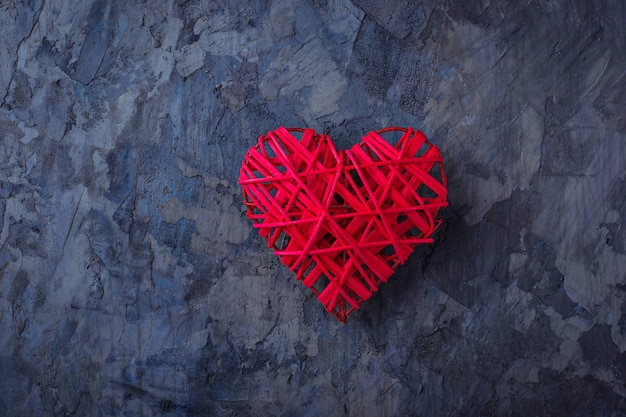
(132, 284)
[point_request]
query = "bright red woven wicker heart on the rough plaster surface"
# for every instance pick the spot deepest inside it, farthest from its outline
(343, 220)
